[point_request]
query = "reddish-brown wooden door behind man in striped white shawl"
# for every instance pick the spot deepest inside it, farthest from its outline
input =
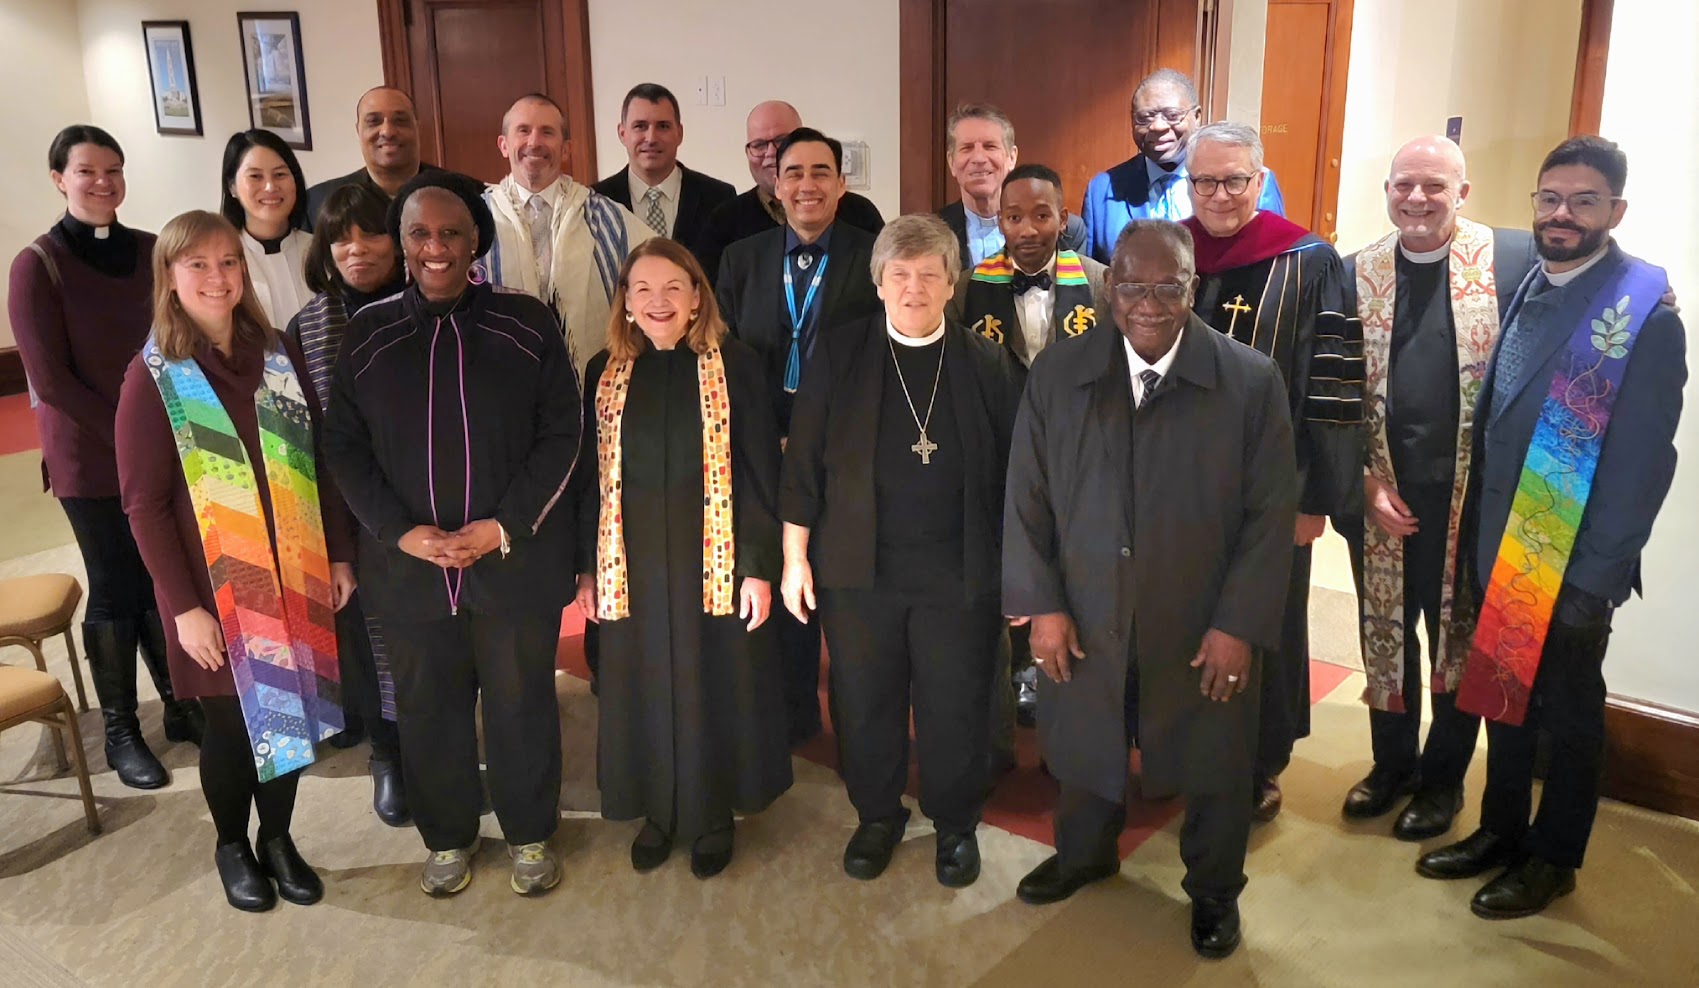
(465, 62)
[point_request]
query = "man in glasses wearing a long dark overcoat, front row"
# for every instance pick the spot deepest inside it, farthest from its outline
(1148, 536)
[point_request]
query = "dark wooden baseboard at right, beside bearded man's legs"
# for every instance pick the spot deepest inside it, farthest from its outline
(1652, 756)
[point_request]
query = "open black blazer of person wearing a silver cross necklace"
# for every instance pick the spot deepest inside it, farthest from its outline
(828, 478)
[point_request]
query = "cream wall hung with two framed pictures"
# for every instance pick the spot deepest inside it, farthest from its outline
(172, 174)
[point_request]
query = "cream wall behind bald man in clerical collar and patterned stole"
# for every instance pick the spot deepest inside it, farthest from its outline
(1506, 67)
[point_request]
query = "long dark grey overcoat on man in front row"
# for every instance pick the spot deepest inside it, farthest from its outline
(1149, 529)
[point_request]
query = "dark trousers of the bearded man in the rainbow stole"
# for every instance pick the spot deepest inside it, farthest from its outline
(1567, 704)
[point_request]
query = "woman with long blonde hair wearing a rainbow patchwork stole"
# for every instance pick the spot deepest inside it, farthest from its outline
(223, 491)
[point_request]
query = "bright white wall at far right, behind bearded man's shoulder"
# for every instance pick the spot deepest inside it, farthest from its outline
(1652, 111)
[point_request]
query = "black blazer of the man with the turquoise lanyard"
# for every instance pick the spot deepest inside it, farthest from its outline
(752, 296)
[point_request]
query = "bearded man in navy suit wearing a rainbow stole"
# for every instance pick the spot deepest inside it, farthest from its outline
(1574, 456)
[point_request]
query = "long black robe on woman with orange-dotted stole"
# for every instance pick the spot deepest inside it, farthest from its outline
(692, 722)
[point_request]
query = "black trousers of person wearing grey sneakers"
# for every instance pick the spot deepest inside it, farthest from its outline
(441, 670)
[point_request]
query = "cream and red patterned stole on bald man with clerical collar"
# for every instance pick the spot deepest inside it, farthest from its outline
(1474, 298)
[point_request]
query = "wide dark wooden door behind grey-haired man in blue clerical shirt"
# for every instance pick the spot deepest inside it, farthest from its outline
(1064, 70)
